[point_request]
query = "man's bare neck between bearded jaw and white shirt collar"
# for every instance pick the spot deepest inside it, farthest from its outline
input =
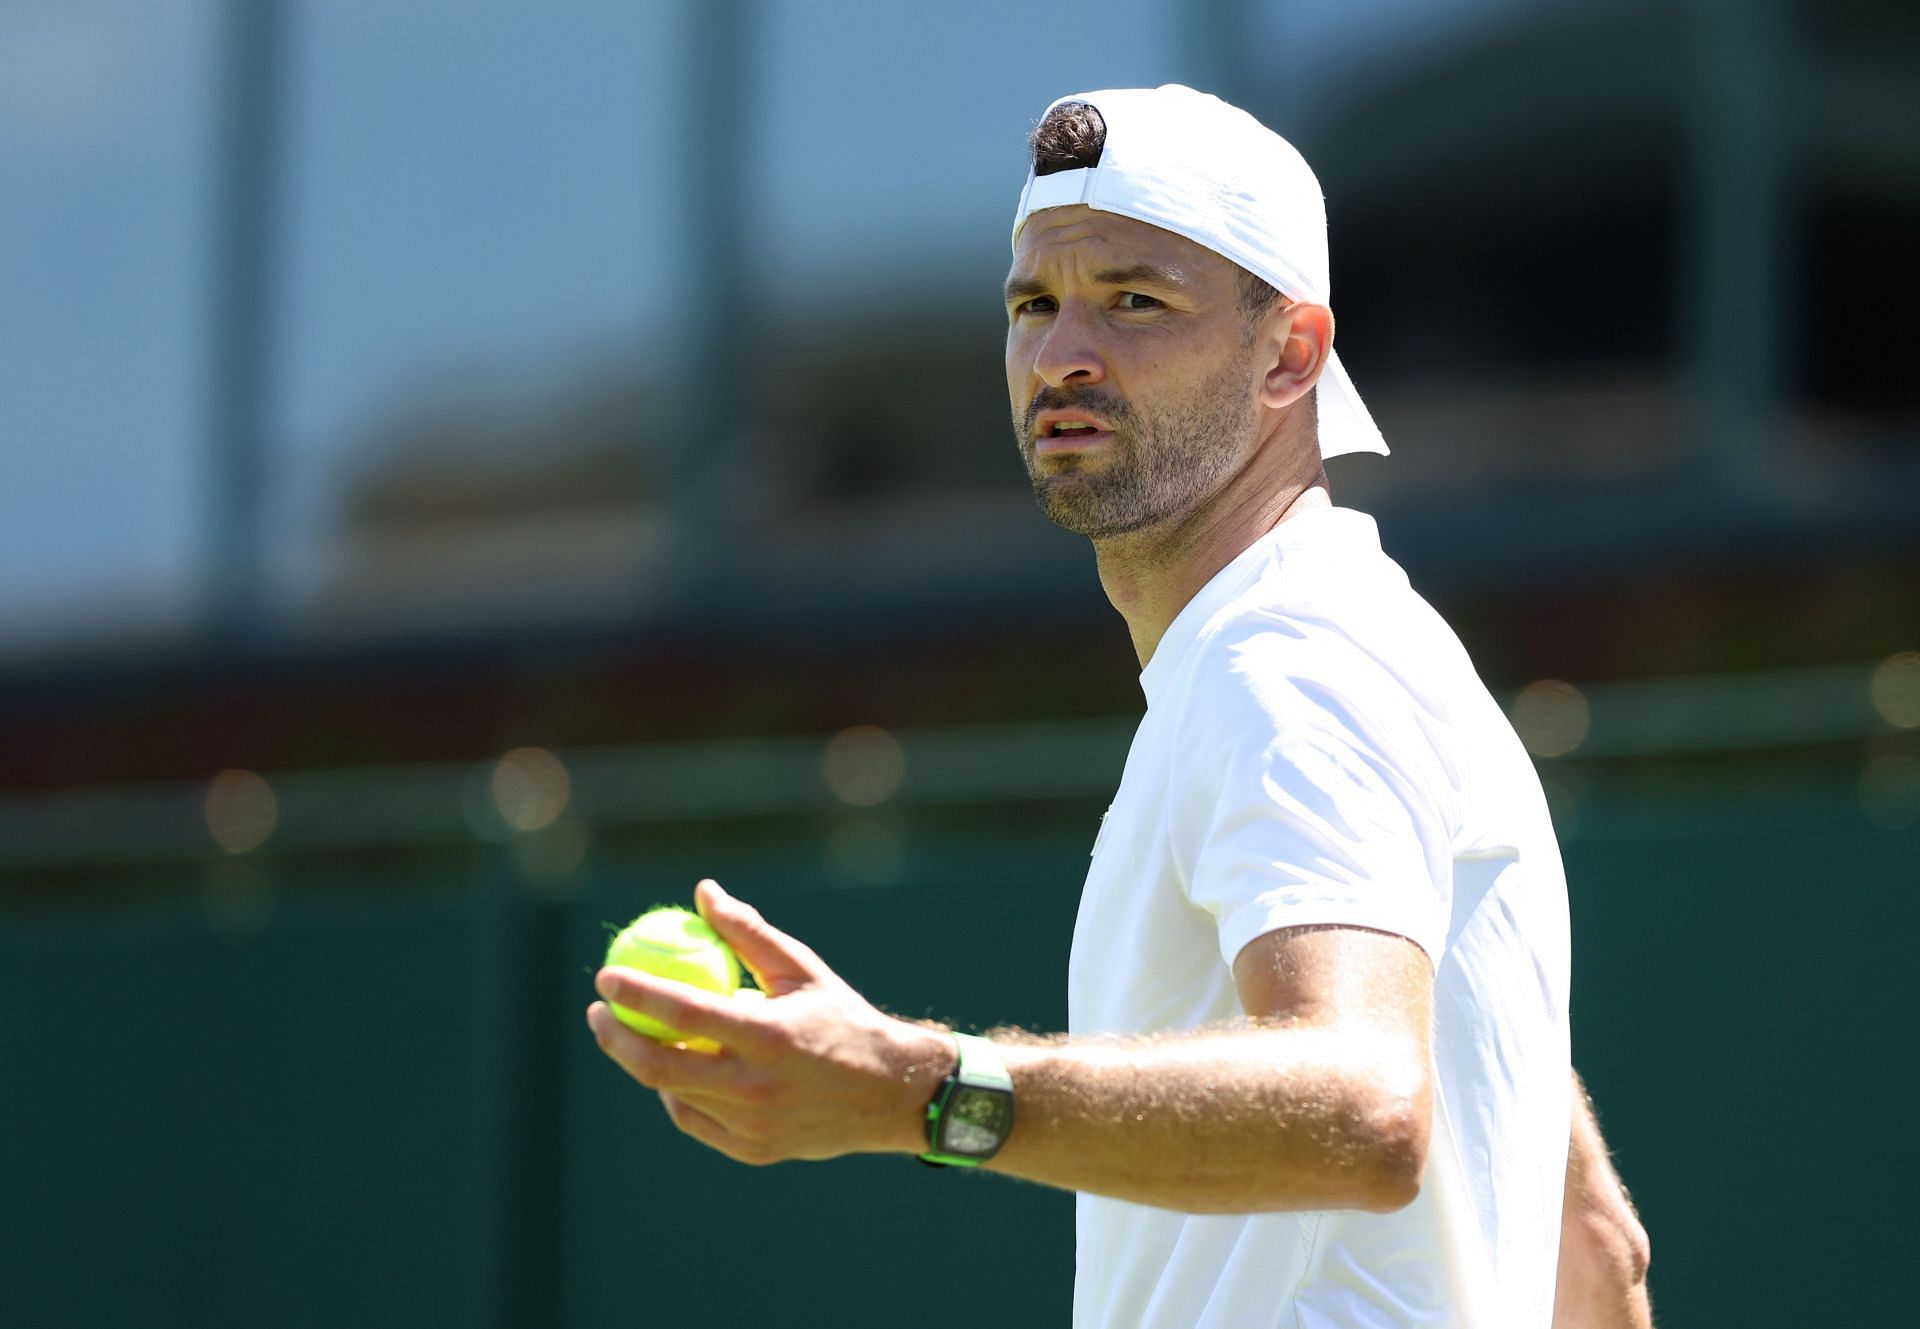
(1153, 573)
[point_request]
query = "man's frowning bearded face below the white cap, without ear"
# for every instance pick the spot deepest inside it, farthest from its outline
(1130, 370)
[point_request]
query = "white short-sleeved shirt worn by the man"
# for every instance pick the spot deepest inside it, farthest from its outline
(1318, 750)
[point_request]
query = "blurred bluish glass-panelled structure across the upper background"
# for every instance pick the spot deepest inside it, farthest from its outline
(525, 318)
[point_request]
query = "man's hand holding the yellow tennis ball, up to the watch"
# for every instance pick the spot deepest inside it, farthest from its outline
(813, 1073)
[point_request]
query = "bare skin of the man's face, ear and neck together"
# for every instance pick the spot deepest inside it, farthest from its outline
(1209, 435)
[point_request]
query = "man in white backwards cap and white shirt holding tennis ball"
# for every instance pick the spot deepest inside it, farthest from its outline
(1318, 1069)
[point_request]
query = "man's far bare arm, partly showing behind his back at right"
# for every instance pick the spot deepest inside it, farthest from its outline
(1604, 1249)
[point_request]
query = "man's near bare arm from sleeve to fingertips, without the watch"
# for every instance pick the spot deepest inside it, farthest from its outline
(1322, 1103)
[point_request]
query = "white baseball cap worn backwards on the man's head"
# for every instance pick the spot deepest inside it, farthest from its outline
(1191, 164)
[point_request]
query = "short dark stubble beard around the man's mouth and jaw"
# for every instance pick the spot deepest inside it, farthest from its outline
(1161, 466)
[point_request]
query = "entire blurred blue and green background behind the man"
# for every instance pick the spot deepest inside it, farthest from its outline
(473, 470)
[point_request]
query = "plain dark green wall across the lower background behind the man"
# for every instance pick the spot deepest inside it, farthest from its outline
(379, 1107)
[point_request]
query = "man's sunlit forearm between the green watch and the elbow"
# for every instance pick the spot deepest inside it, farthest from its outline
(1224, 1123)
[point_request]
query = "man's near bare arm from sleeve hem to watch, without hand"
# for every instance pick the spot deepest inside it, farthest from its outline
(1322, 1103)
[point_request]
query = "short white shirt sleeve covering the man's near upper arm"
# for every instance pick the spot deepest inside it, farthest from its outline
(1305, 794)
